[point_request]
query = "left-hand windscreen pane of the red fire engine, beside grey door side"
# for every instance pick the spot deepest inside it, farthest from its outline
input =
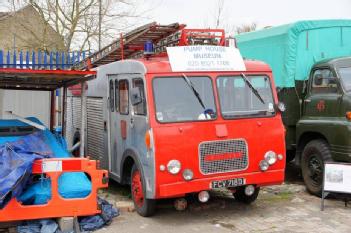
(176, 100)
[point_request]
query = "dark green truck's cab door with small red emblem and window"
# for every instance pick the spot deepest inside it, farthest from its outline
(323, 98)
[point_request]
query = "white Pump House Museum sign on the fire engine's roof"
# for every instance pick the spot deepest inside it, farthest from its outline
(205, 58)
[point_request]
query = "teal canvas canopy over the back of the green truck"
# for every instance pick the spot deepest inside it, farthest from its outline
(291, 50)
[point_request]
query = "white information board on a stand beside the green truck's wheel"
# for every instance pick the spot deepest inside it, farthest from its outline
(337, 179)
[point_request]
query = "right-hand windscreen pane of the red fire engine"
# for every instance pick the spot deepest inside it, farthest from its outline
(237, 99)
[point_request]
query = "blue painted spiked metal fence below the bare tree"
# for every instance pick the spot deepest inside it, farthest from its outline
(40, 59)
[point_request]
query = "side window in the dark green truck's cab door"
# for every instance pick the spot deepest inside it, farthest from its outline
(324, 82)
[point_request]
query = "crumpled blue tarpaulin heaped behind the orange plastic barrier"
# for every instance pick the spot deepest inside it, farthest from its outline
(17, 154)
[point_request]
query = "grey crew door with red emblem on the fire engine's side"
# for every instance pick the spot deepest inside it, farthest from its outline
(118, 118)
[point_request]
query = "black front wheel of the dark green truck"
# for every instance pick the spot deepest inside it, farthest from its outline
(312, 165)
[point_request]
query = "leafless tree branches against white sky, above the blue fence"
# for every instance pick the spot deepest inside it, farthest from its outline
(86, 24)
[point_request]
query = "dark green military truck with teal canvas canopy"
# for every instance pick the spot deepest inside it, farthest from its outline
(311, 63)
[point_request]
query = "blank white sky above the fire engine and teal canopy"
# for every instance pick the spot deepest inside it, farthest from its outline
(200, 13)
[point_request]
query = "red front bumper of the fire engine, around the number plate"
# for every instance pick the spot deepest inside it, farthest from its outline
(258, 178)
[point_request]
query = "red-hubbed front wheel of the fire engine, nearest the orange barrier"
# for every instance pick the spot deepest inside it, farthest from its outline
(144, 207)
